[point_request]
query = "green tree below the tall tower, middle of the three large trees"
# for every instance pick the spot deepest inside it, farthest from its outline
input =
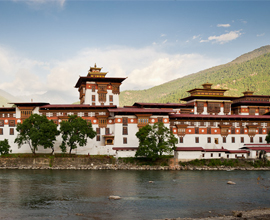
(75, 131)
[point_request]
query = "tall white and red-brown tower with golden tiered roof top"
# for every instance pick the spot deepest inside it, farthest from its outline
(97, 89)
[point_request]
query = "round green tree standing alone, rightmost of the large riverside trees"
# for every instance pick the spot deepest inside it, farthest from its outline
(155, 140)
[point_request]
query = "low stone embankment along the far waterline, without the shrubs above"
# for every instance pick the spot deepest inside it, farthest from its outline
(98, 164)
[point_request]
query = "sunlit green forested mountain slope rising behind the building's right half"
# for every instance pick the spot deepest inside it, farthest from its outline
(249, 71)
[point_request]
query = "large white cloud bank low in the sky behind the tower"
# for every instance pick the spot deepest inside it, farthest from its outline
(144, 67)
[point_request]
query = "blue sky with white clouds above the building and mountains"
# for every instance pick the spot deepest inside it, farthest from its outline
(45, 45)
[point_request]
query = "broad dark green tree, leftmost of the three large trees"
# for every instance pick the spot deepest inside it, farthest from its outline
(37, 131)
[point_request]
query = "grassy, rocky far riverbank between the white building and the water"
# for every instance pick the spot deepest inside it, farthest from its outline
(110, 163)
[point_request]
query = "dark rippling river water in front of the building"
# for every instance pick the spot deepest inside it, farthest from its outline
(73, 194)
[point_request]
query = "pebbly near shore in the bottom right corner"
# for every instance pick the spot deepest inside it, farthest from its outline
(256, 214)
